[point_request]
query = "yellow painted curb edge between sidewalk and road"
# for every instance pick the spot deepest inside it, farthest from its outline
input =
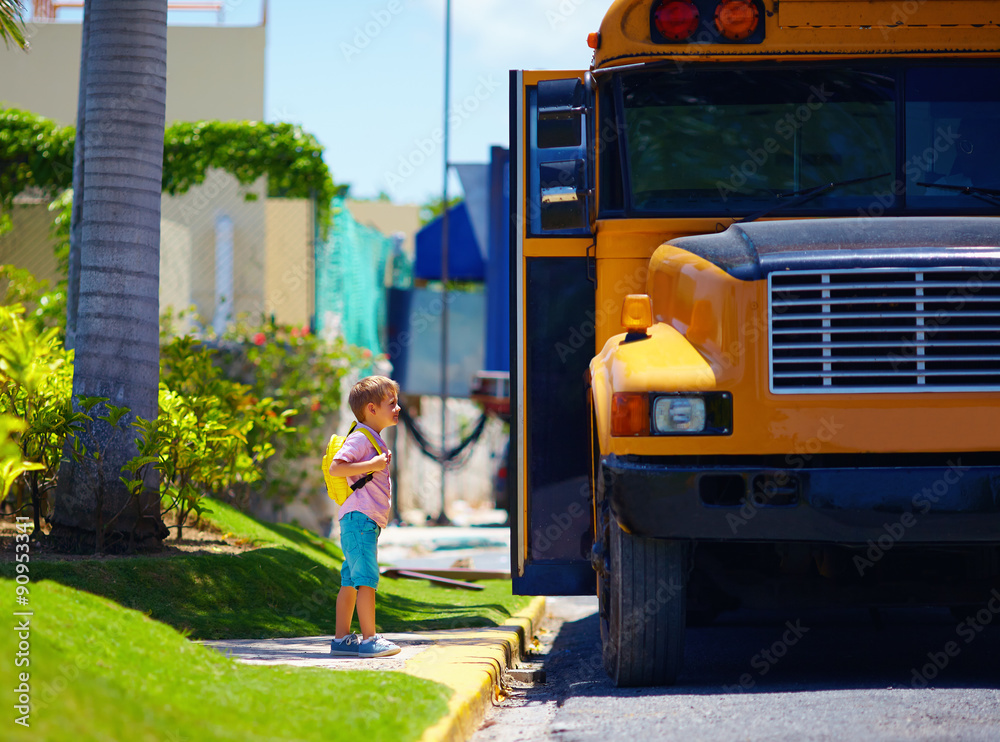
(471, 662)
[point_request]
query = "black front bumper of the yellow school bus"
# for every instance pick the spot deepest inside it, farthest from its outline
(953, 503)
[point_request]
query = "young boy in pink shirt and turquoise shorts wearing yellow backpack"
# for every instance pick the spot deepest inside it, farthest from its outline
(363, 516)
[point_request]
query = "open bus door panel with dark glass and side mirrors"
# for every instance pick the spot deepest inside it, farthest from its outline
(552, 333)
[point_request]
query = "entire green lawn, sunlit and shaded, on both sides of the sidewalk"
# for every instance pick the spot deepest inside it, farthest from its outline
(110, 659)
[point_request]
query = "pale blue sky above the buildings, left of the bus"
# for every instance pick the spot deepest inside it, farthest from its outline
(366, 77)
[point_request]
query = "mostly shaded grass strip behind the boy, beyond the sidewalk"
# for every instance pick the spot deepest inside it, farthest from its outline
(286, 588)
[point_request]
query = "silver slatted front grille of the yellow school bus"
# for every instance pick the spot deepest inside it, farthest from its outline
(885, 330)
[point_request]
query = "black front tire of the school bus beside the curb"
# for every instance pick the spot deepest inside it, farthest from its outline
(643, 636)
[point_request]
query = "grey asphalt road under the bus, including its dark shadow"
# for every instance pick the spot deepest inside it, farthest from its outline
(847, 675)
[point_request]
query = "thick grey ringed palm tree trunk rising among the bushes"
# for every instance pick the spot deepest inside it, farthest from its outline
(117, 325)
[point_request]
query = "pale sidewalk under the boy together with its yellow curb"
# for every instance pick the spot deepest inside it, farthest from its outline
(470, 661)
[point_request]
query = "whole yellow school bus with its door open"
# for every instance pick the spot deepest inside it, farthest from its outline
(755, 260)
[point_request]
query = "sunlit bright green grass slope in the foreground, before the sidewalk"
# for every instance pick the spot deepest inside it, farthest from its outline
(101, 672)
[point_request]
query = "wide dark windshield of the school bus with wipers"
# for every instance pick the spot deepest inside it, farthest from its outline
(739, 141)
